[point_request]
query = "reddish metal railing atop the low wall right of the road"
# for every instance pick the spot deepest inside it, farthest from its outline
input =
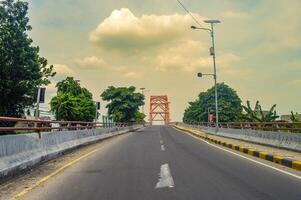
(291, 127)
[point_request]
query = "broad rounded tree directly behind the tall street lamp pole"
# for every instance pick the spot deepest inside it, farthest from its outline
(229, 104)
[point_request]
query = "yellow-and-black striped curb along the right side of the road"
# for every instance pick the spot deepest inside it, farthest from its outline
(294, 164)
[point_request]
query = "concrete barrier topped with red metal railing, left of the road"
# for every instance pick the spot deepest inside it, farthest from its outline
(20, 152)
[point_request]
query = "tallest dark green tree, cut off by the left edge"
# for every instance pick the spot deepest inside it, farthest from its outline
(21, 68)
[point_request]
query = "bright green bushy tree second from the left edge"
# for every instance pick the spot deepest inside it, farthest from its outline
(72, 103)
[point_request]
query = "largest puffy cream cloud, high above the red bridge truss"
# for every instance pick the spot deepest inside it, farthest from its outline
(123, 30)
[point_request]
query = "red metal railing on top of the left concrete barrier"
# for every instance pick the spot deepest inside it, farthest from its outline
(33, 125)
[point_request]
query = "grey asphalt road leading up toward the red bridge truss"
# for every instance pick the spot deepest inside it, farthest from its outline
(160, 162)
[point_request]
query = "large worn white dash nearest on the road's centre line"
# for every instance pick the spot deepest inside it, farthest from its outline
(165, 178)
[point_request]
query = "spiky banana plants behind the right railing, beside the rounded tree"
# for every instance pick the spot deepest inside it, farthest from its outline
(258, 115)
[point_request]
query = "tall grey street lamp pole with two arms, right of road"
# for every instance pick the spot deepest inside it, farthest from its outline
(212, 52)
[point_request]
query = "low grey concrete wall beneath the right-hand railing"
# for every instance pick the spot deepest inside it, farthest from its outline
(291, 141)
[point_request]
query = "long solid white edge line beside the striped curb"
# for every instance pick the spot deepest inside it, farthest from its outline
(252, 160)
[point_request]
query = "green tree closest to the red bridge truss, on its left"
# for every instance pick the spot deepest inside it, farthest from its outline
(124, 104)
